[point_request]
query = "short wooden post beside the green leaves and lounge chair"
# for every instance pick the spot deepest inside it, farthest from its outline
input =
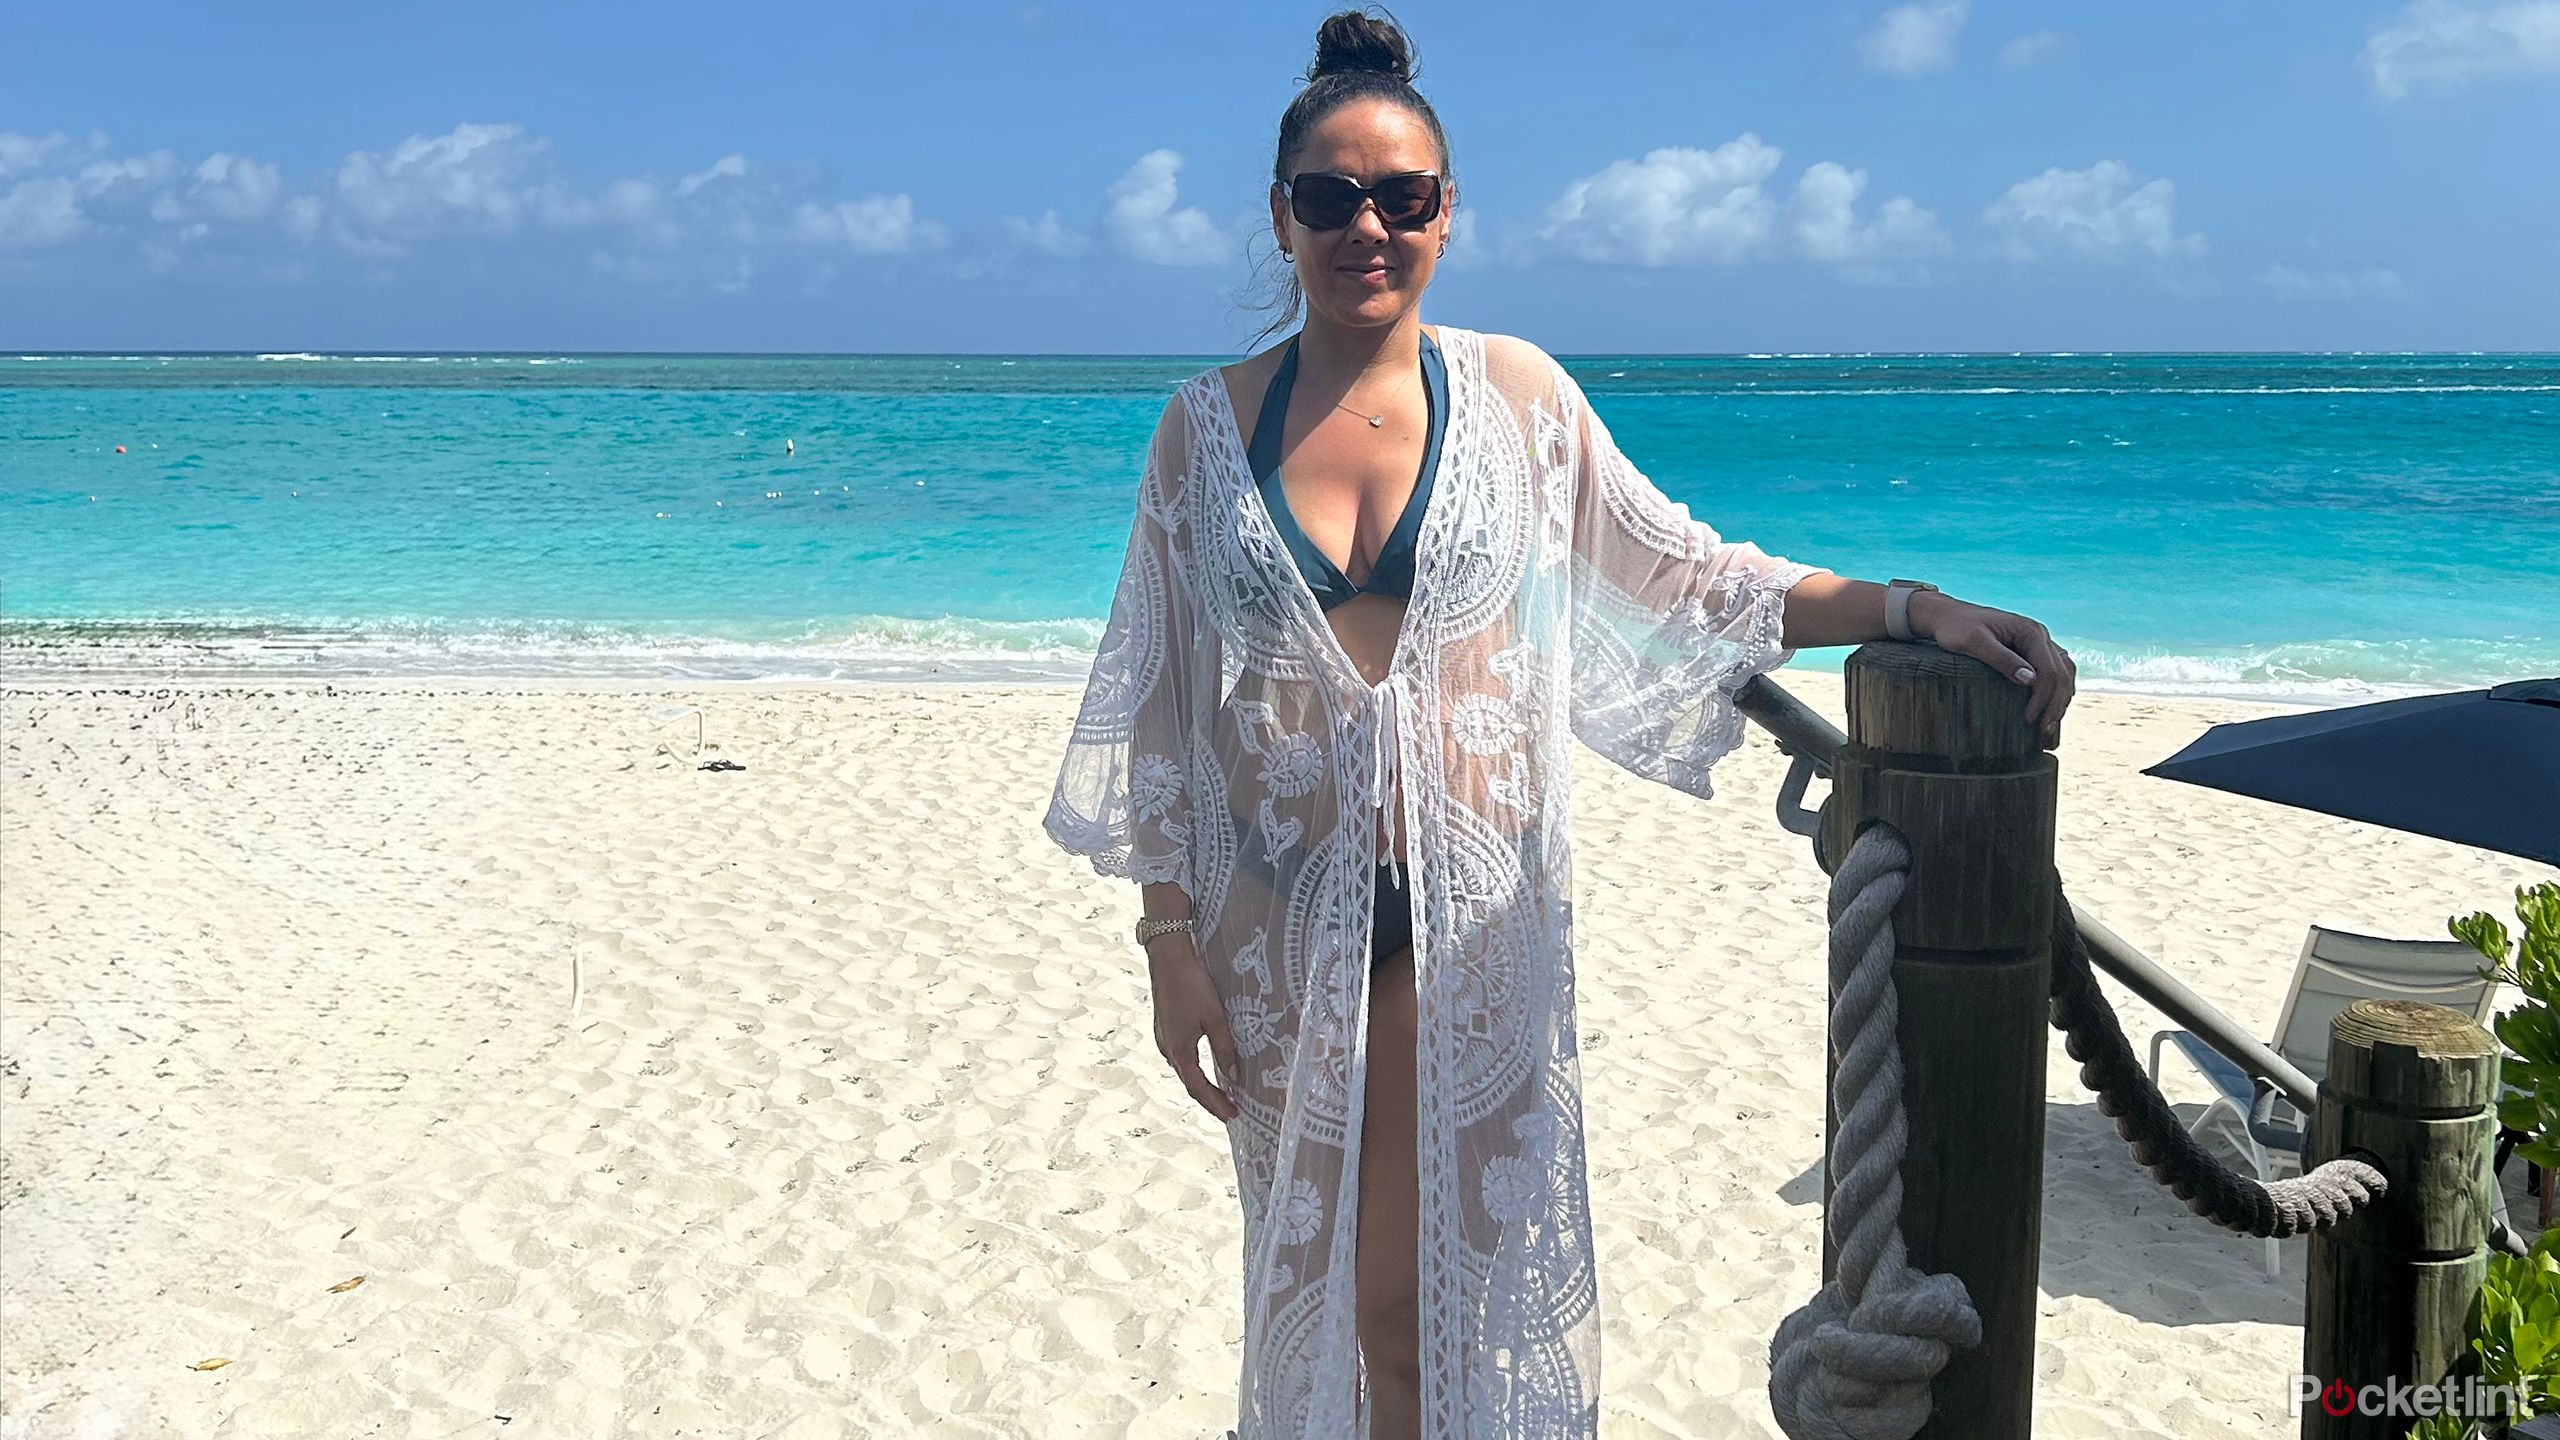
(2415, 1088)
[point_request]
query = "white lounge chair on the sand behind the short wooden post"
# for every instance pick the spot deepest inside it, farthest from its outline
(2333, 972)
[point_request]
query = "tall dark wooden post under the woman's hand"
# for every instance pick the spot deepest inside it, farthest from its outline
(1942, 752)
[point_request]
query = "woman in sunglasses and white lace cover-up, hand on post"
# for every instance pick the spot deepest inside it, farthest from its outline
(1379, 575)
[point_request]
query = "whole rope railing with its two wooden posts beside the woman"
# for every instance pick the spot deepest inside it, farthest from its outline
(1926, 1321)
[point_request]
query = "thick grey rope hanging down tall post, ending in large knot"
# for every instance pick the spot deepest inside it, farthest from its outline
(1860, 1359)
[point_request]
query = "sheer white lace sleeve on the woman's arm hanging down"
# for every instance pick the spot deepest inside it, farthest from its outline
(1140, 739)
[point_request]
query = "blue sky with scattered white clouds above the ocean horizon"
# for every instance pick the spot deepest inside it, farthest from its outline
(1084, 178)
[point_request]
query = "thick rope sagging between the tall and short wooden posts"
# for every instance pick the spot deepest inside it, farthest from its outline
(2159, 1141)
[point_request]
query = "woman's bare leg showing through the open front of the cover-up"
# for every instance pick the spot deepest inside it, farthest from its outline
(1389, 1208)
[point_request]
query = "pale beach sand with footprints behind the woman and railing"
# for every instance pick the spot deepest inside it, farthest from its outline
(854, 1124)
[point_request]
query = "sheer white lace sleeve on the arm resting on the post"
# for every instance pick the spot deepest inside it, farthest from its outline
(1668, 616)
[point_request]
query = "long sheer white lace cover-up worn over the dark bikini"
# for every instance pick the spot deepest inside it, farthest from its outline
(1230, 747)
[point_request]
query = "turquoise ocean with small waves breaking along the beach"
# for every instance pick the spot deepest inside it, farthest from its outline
(2287, 527)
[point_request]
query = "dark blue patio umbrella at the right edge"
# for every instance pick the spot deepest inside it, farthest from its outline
(2477, 767)
